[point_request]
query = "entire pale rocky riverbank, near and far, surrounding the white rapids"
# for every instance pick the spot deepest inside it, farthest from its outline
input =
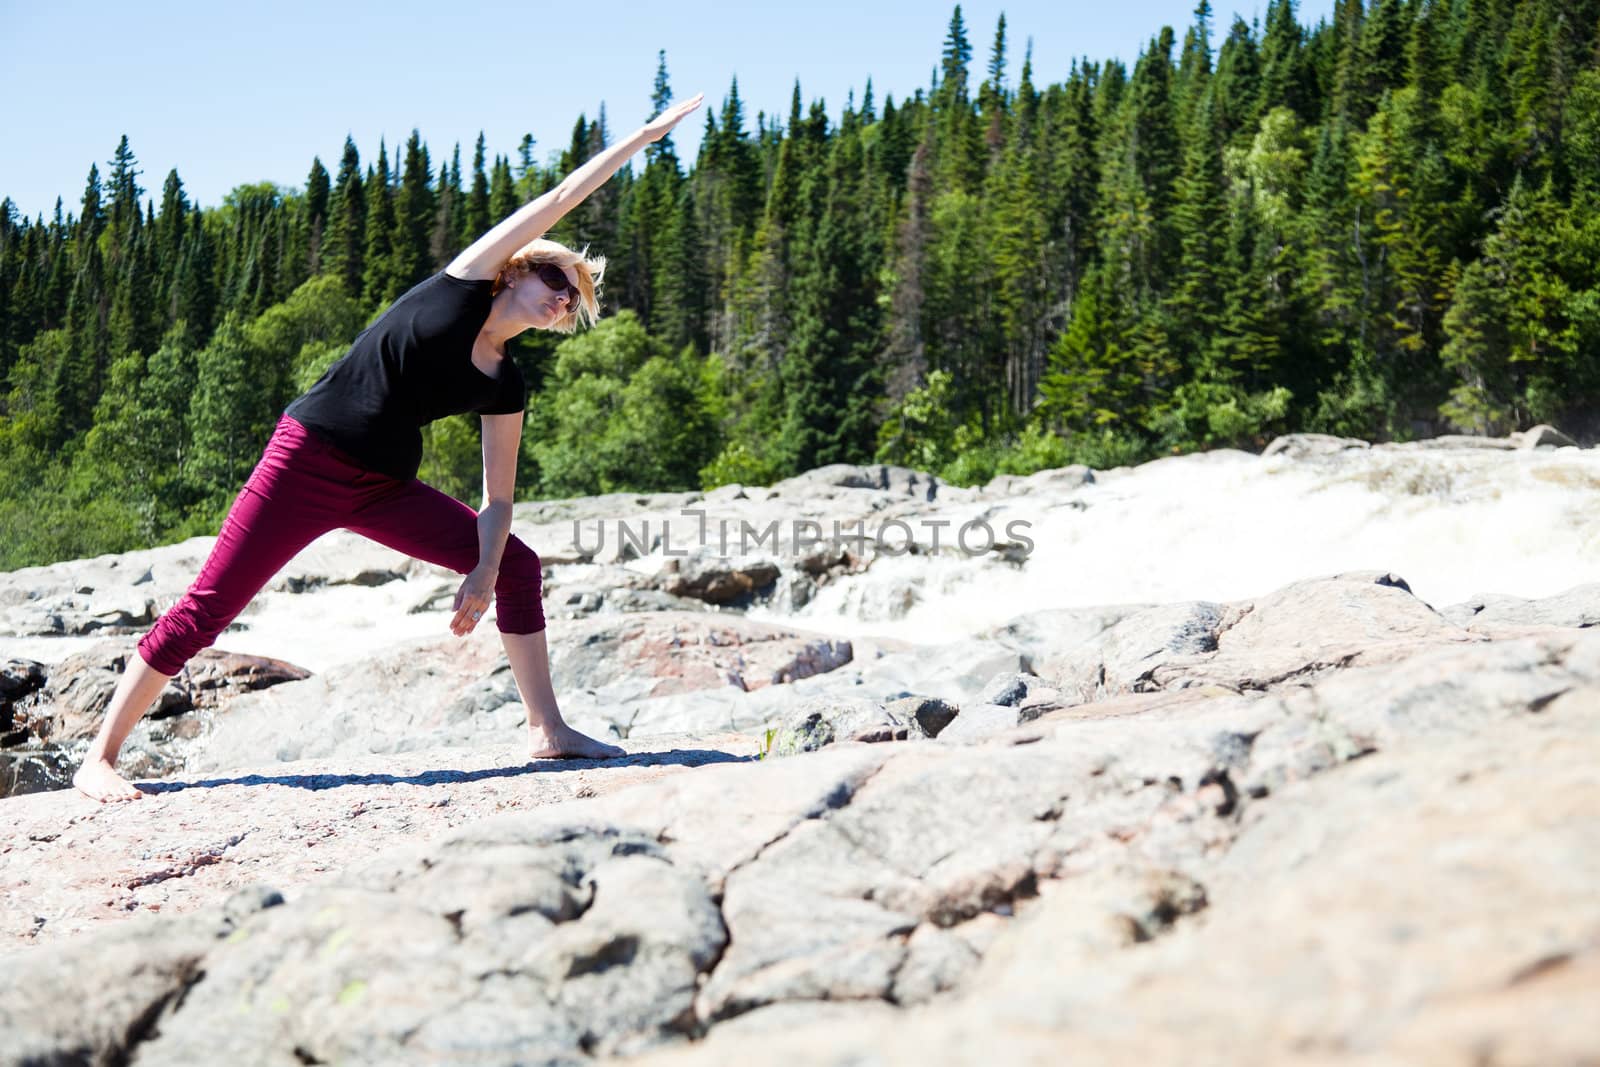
(1319, 825)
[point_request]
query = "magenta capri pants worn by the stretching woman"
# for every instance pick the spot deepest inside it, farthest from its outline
(303, 489)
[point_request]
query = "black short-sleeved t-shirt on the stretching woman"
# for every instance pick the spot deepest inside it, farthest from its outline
(409, 369)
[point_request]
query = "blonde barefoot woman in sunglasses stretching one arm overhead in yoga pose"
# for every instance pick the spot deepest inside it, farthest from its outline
(348, 452)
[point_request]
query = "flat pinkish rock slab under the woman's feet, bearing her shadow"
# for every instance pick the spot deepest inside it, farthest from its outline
(70, 865)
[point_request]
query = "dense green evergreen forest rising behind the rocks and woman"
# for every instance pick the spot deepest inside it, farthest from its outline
(1382, 226)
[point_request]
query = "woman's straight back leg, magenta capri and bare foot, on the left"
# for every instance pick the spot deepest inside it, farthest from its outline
(287, 505)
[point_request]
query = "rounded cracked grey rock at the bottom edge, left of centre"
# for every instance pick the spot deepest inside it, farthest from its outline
(545, 945)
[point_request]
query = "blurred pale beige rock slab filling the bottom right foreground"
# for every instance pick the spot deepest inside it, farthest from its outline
(1430, 905)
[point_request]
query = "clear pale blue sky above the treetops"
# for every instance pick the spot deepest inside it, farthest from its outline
(247, 92)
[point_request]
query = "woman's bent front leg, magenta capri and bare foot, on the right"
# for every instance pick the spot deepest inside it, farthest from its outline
(430, 526)
